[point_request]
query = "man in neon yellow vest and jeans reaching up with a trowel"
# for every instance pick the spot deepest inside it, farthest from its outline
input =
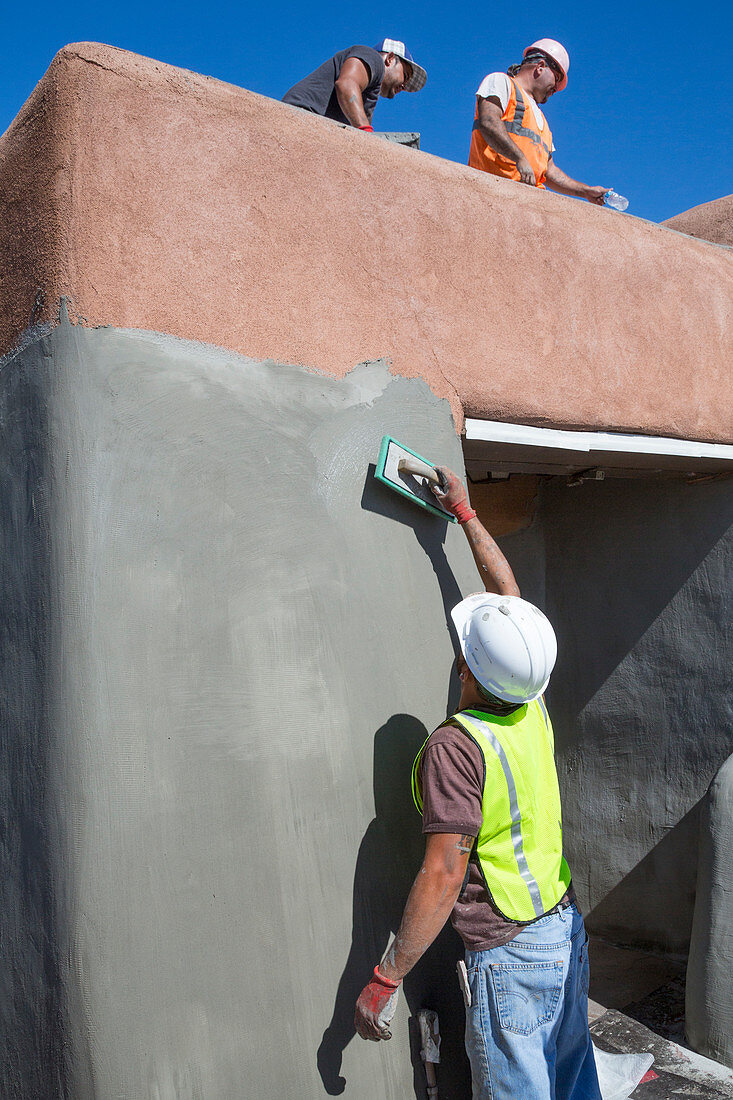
(487, 787)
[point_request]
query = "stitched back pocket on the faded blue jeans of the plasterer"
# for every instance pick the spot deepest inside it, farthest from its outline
(528, 994)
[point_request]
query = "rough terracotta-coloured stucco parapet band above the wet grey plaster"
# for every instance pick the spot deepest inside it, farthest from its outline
(158, 200)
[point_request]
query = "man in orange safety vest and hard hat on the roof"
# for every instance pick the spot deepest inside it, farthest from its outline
(511, 137)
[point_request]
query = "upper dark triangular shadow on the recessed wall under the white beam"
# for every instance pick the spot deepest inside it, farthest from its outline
(617, 555)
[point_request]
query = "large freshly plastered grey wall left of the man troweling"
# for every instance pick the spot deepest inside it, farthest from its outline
(223, 644)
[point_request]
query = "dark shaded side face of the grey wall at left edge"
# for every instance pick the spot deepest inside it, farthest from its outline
(31, 1009)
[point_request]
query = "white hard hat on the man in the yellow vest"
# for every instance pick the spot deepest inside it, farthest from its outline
(509, 645)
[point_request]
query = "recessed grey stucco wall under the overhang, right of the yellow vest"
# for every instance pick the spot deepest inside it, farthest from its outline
(638, 579)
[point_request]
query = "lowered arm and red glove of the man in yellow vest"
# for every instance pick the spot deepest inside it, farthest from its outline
(433, 897)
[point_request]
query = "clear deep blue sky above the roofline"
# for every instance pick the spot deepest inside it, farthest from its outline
(640, 113)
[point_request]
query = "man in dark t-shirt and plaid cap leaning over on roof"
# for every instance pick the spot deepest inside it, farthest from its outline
(347, 86)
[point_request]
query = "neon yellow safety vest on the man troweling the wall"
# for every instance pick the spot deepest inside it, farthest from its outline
(520, 846)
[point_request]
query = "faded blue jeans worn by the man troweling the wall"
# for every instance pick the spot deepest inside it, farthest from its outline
(527, 1029)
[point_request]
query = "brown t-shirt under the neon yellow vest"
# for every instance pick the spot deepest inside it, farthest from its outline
(452, 775)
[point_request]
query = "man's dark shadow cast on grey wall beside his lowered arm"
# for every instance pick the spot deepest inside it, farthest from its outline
(389, 860)
